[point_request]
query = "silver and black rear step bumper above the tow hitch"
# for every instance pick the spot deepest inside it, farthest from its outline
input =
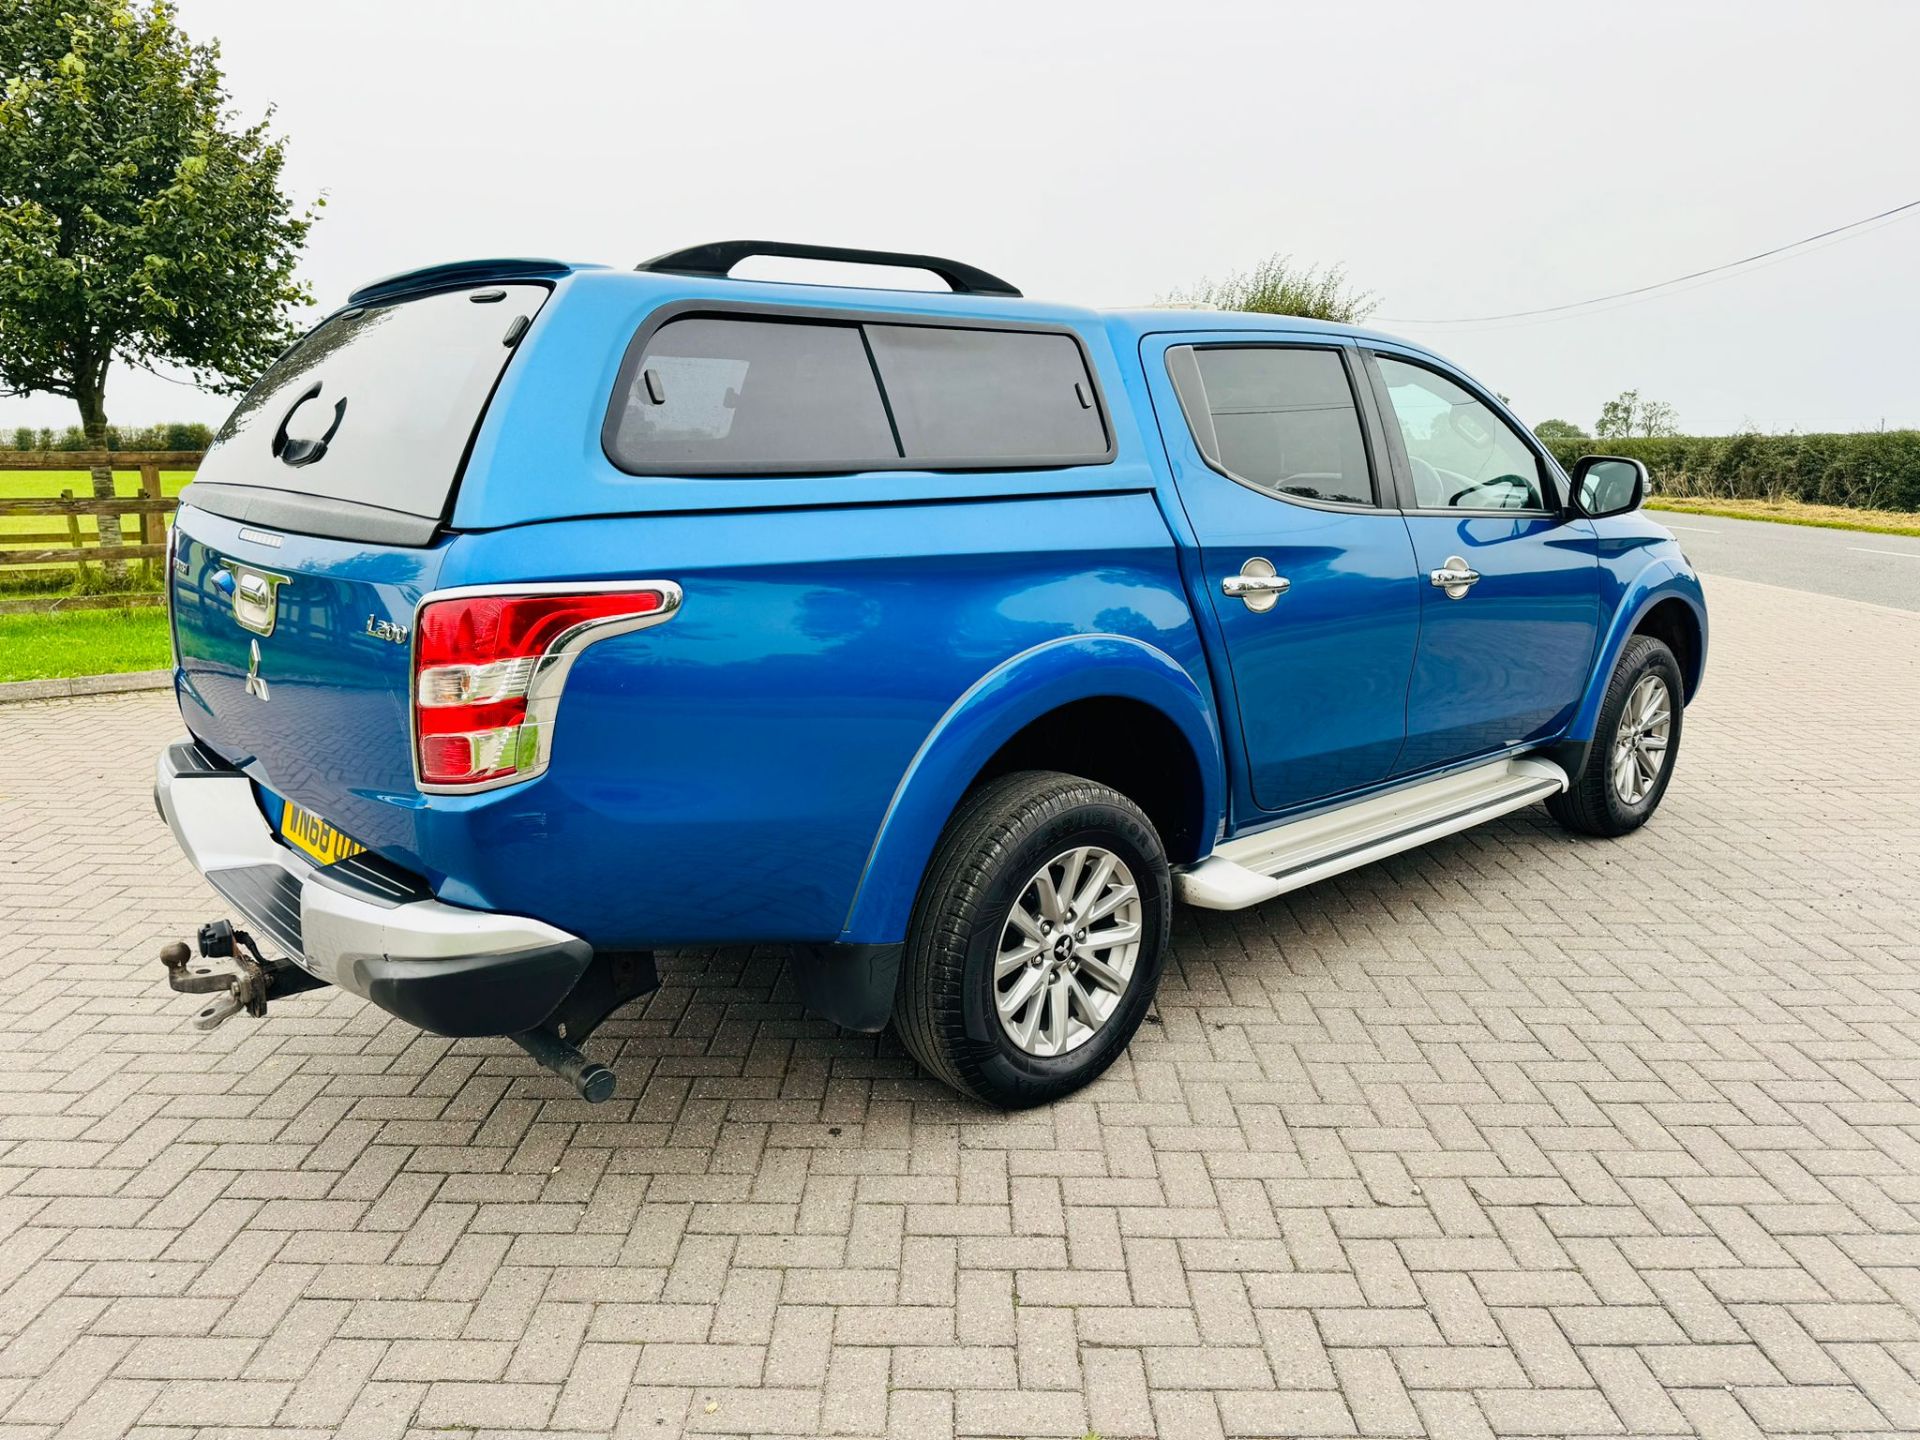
(437, 967)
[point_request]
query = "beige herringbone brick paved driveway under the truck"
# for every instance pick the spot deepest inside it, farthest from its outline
(1514, 1136)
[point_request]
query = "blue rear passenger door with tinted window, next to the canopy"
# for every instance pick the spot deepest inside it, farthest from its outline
(1310, 577)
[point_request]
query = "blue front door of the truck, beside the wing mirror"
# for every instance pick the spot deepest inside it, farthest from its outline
(1510, 581)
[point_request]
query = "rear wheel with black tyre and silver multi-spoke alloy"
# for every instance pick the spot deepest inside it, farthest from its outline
(1038, 940)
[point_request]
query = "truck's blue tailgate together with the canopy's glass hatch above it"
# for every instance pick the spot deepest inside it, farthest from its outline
(312, 531)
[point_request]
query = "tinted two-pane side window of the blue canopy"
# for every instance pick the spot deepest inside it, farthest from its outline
(756, 395)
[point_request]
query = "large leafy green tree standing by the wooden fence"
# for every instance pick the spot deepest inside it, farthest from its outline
(137, 220)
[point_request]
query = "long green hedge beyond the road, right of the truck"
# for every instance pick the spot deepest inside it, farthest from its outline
(1871, 469)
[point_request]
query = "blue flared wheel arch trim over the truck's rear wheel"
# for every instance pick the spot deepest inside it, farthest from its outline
(997, 708)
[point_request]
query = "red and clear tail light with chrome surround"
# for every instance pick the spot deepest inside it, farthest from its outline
(489, 669)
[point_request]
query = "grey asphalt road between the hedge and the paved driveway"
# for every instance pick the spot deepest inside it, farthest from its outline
(1844, 564)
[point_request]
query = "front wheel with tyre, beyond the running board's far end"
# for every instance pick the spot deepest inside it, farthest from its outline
(1639, 731)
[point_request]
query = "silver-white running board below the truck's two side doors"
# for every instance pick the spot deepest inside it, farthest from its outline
(1287, 857)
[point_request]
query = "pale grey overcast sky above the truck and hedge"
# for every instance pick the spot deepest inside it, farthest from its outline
(1460, 160)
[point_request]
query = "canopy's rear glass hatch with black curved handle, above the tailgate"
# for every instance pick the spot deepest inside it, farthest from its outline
(377, 406)
